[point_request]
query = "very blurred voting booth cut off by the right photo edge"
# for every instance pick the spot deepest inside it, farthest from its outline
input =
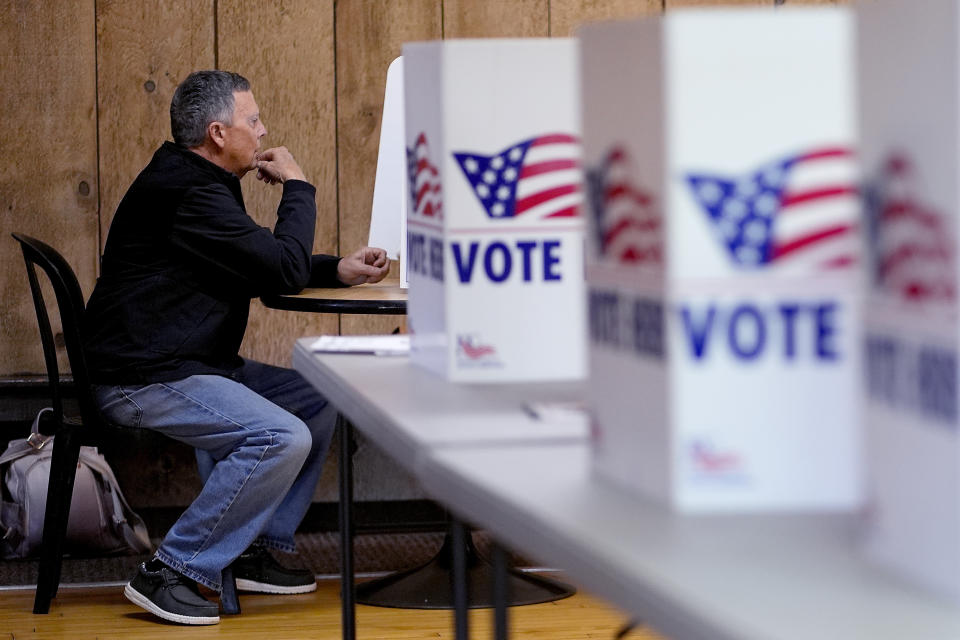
(909, 83)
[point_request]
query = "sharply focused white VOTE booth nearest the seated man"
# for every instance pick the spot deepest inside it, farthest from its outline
(494, 231)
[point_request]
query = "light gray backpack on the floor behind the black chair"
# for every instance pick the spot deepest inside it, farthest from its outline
(100, 522)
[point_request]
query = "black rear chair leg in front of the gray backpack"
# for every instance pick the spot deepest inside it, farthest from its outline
(63, 465)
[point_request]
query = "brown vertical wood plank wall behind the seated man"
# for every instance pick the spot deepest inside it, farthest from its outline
(92, 85)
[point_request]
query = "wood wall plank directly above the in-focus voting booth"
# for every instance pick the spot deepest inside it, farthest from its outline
(496, 18)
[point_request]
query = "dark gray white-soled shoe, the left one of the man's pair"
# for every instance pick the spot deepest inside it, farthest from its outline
(171, 596)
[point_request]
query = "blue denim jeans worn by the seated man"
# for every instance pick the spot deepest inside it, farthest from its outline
(261, 439)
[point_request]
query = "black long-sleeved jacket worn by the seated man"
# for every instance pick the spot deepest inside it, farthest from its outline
(182, 262)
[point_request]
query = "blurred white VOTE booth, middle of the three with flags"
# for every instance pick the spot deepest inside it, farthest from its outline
(723, 257)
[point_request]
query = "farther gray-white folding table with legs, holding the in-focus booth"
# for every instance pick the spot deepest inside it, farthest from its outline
(409, 412)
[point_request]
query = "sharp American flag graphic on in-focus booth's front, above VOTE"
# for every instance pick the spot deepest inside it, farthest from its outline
(537, 178)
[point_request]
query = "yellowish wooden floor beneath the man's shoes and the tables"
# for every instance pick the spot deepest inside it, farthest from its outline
(103, 613)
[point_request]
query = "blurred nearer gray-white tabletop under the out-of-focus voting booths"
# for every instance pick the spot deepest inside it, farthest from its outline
(717, 577)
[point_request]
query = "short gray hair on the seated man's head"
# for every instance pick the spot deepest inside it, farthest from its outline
(204, 97)
